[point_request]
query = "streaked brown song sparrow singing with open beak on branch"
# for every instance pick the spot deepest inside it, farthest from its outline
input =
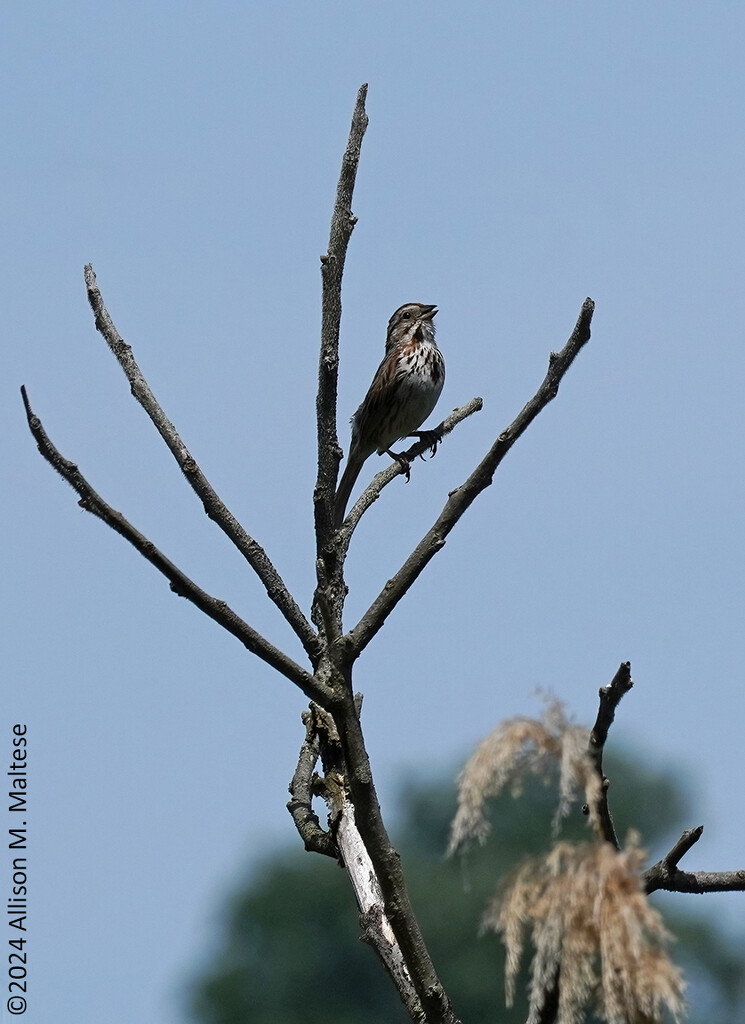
(404, 393)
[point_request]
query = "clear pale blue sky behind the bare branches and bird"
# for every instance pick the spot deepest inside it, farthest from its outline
(519, 158)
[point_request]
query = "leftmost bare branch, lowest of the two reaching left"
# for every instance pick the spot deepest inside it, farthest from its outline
(181, 583)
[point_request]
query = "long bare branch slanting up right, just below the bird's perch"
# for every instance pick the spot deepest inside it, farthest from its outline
(359, 638)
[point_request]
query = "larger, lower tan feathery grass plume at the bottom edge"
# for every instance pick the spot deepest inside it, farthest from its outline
(589, 919)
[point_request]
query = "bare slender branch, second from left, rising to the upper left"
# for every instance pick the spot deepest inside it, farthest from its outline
(214, 507)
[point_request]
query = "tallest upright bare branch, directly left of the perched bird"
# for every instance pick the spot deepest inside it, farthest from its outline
(343, 222)
